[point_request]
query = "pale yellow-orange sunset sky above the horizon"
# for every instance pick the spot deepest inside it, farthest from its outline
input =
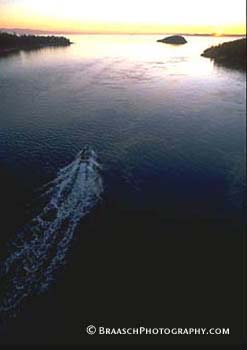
(125, 16)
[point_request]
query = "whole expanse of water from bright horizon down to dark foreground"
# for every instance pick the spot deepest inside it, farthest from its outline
(168, 129)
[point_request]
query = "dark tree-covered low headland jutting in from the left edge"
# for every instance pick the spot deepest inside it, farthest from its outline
(13, 43)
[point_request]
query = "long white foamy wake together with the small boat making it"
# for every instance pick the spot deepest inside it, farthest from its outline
(41, 247)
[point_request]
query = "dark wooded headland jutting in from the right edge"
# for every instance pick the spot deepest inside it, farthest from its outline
(230, 54)
